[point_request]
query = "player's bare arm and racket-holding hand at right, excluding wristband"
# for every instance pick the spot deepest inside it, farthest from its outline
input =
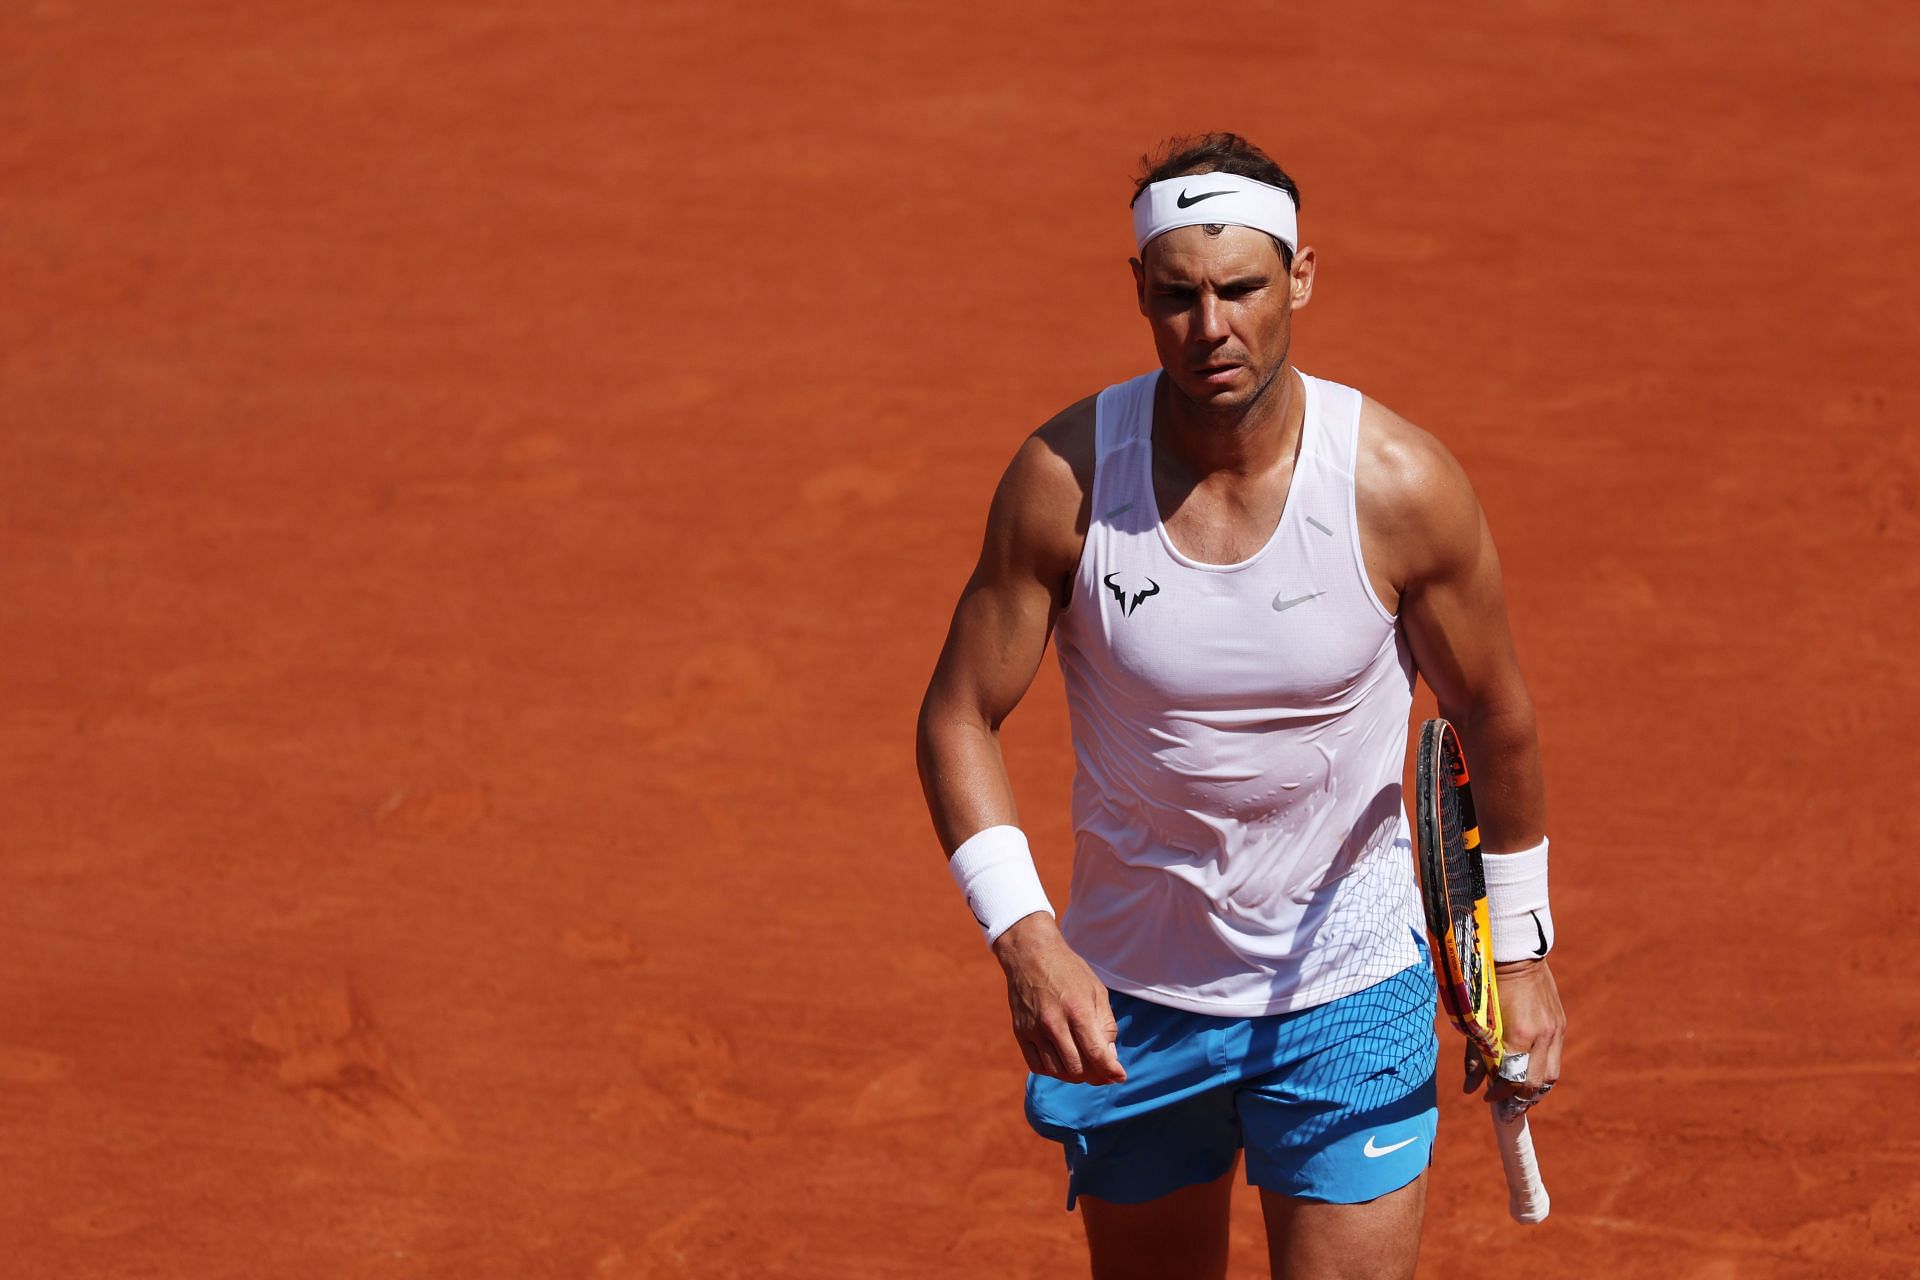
(1422, 517)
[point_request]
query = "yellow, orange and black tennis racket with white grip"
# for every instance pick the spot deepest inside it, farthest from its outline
(1454, 891)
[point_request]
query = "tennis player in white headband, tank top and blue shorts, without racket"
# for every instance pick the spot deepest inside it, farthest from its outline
(1243, 569)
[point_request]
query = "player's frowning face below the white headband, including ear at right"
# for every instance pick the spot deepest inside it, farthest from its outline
(1222, 310)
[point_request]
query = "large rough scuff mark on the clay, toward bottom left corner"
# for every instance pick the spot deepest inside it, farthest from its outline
(327, 1053)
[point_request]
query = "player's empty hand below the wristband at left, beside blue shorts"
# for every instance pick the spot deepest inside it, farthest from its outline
(1063, 1020)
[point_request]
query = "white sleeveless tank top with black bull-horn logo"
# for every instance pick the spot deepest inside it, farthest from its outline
(1241, 843)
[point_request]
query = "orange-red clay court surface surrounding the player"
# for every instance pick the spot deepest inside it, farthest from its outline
(485, 486)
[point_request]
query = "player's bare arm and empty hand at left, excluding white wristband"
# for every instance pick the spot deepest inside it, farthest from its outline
(999, 632)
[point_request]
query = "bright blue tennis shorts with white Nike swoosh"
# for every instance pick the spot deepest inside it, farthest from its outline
(1333, 1104)
